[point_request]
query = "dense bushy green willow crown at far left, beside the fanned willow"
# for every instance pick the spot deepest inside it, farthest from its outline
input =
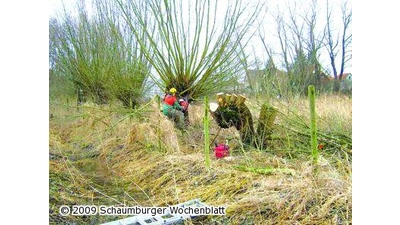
(96, 51)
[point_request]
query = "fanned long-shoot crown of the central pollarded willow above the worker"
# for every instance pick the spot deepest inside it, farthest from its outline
(194, 44)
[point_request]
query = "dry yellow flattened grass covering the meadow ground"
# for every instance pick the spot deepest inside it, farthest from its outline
(97, 157)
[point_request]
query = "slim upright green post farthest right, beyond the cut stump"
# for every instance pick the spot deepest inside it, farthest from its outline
(313, 128)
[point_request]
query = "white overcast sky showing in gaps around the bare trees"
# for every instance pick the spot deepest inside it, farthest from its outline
(274, 7)
